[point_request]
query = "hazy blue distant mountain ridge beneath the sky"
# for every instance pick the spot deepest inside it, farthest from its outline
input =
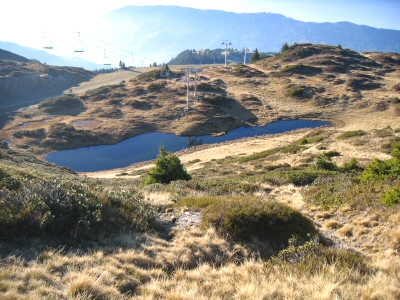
(161, 32)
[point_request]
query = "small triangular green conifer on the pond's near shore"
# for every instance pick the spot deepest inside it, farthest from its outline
(168, 168)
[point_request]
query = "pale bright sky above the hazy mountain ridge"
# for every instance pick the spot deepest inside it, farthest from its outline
(25, 22)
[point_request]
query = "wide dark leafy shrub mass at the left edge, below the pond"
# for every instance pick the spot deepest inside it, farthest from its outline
(67, 208)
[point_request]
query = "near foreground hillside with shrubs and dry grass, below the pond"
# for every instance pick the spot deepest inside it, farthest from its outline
(228, 231)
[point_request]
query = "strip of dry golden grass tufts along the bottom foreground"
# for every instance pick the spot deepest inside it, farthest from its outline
(137, 274)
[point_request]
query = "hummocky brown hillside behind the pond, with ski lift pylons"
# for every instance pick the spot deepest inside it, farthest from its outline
(306, 82)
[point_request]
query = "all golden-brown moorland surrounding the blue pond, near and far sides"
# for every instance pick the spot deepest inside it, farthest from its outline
(307, 214)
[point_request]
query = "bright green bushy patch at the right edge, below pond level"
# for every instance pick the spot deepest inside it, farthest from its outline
(376, 185)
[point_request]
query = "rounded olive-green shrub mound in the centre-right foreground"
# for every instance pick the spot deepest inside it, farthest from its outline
(245, 218)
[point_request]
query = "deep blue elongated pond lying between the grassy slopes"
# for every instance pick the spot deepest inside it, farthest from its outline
(145, 147)
